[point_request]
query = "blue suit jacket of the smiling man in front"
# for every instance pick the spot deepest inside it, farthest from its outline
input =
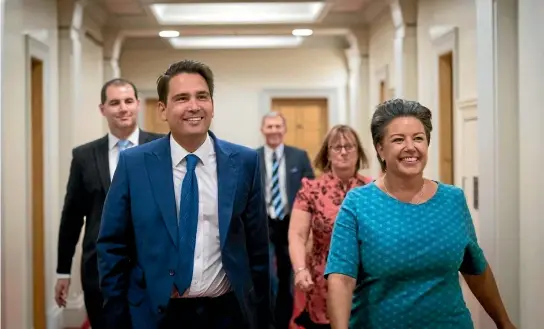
(137, 245)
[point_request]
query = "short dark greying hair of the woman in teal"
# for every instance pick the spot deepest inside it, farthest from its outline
(392, 109)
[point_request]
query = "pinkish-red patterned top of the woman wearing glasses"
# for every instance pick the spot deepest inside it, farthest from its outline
(322, 198)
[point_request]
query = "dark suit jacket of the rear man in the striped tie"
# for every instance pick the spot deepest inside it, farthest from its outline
(297, 166)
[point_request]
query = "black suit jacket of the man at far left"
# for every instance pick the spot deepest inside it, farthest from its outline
(88, 184)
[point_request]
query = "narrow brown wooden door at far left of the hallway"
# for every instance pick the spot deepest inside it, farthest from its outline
(37, 193)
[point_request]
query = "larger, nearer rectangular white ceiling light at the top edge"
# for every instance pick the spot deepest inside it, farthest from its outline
(238, 13)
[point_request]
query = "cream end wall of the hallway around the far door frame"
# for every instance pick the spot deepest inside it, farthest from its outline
(241, 76)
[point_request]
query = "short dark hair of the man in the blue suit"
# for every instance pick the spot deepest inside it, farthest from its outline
(184, 66)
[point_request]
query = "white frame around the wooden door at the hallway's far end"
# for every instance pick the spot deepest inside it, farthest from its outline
(336, 107)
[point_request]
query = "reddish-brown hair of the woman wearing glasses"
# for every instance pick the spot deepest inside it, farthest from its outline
(322, 162)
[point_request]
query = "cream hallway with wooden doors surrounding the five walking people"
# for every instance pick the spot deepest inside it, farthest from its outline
(321, 64)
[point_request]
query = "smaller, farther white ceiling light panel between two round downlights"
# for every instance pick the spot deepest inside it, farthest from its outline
(235, 42)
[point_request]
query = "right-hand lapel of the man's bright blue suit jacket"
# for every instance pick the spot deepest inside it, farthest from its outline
(227, 177)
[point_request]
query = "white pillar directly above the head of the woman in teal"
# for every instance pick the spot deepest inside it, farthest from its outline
(404, 14)
